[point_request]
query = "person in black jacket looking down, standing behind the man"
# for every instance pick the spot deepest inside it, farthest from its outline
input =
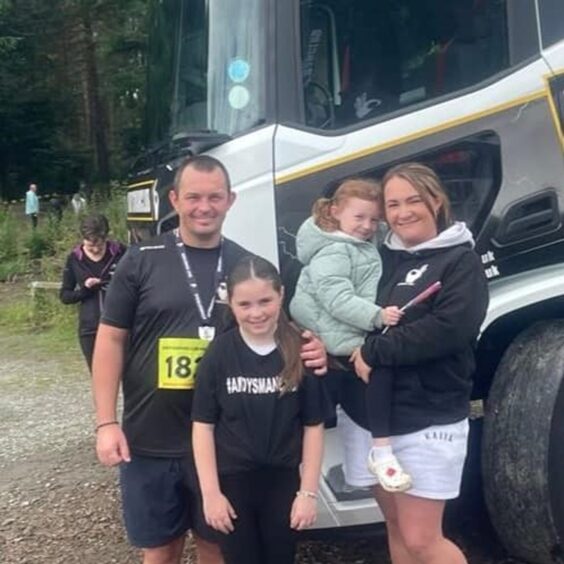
(87, 273)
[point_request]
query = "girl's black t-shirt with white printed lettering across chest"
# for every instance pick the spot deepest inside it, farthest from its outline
(238, 391)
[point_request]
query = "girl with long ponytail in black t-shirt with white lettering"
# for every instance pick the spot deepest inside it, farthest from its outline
(257, 416)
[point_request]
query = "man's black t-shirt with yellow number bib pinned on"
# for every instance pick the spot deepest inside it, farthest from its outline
(149, 296)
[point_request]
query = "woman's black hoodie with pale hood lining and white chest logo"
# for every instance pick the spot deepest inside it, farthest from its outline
(431, 352)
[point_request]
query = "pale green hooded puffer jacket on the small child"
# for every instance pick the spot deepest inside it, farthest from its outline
(336, 292)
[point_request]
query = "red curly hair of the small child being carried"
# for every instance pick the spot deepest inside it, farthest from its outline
(362, 188)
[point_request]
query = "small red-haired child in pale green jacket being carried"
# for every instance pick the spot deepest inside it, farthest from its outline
(336, 294)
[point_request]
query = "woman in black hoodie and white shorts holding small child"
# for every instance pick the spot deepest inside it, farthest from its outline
(430, 355)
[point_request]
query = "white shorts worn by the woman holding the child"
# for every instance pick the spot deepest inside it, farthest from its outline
(434, 457)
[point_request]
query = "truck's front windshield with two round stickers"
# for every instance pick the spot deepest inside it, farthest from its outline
(206, 67)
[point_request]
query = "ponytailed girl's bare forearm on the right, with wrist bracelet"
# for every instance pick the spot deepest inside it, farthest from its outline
(304, 508)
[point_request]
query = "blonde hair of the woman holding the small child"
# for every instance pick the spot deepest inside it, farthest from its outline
(428, 186)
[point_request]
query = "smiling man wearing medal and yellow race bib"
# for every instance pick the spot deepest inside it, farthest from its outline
(165, 304)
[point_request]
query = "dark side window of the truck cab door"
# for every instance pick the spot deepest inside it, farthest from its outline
(363, 59)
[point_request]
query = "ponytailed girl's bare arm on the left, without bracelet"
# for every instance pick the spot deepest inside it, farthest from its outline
(218, 512)
